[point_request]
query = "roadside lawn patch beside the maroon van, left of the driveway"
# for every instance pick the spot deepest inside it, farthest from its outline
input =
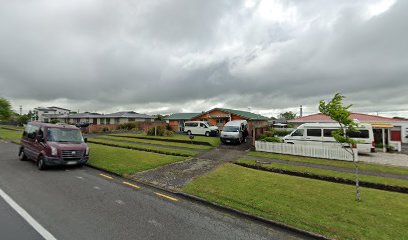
(126, 161)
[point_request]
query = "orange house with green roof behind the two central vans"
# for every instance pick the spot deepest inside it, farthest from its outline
(217, 117)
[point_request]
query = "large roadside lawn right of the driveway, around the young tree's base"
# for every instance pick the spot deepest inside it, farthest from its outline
(318, 206)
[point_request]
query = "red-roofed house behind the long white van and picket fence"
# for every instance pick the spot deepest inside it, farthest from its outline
(395, 129)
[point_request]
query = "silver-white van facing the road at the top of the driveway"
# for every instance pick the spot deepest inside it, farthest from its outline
(235, 131)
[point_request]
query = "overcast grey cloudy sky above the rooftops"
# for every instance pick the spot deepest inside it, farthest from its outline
(187, 56)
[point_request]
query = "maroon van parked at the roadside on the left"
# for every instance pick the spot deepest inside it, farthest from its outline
(53, 145)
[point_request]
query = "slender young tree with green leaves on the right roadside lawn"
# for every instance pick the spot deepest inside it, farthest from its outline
(339, 113)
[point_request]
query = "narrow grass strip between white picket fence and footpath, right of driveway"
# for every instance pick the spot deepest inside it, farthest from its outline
(337, 163)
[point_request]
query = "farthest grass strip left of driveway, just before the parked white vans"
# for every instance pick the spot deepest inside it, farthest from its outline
(206, 141)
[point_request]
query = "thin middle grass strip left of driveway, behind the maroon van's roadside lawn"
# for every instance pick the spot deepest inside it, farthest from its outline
(146, 148)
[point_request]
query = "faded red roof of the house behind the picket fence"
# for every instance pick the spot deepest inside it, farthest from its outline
(320, 117)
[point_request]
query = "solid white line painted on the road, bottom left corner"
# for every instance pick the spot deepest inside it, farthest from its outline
(24, 214)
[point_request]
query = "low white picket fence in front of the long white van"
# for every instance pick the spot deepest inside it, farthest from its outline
(317, 150)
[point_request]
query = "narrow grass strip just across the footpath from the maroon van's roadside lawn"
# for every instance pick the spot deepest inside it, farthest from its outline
(161, 150)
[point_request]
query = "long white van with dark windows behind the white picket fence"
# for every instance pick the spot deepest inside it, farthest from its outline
(322, 133)
